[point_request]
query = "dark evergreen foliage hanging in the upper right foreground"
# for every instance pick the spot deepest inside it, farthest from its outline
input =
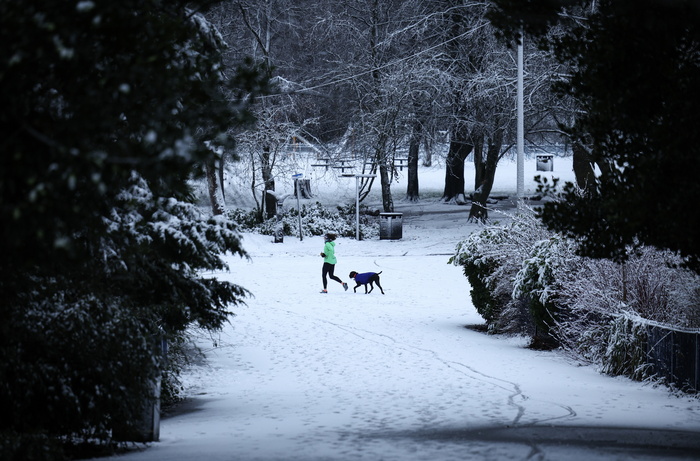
(635, 74)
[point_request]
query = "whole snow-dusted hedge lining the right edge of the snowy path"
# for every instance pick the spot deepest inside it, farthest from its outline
(526, 279)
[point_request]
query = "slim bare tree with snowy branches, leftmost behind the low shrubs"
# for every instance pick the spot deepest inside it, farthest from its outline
(272, 32)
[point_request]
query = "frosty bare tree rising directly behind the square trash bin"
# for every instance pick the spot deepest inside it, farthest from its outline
(388, 64)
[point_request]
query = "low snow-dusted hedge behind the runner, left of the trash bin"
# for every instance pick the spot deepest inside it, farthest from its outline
(315, 220)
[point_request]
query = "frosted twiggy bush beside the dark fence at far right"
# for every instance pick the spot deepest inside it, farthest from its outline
(596, 295)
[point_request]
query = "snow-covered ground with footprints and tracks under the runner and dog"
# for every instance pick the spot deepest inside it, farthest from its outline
(300, 375)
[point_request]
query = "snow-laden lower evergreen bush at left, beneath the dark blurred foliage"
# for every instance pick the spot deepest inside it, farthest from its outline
(86, 338)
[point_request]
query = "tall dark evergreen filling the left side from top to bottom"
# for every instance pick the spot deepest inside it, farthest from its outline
(105, 107)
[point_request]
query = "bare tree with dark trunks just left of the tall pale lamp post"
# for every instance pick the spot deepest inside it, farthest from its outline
(482, 73)
